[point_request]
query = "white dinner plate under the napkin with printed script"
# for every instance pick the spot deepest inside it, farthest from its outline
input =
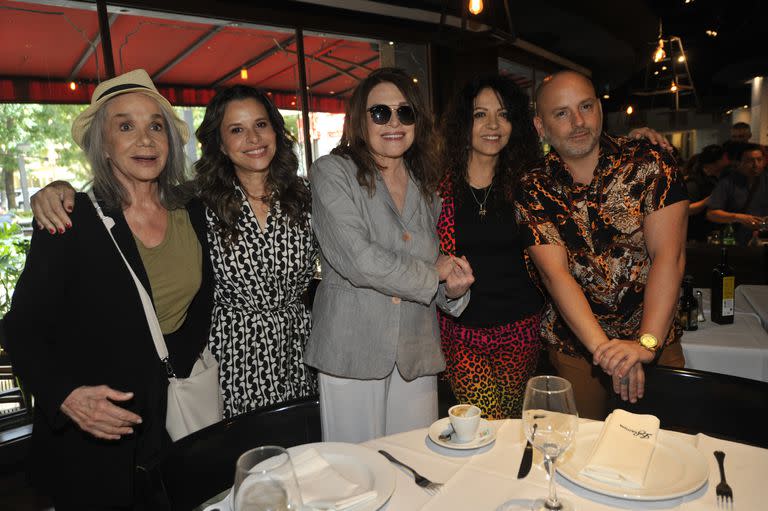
(676, 468)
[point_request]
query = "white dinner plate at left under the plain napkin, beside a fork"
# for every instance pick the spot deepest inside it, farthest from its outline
(361, 465)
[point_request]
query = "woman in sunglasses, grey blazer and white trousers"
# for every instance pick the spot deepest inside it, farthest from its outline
(375, 337)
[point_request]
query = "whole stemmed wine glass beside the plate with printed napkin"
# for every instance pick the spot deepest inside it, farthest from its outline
(550, 422)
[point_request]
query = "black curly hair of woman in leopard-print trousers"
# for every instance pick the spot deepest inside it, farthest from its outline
(522, 150)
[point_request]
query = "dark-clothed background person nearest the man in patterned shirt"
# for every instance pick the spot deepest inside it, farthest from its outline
(707, 169)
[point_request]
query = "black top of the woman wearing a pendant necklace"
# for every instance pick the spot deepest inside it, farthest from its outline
(502, 292)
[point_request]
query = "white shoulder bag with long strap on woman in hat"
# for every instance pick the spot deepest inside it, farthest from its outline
(194, 402)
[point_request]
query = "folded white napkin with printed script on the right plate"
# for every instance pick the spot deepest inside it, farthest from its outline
(623, 450)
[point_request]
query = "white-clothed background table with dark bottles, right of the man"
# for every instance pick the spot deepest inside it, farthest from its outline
(738, 349)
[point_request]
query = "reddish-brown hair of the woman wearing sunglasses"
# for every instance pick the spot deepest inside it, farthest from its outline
(421, 158)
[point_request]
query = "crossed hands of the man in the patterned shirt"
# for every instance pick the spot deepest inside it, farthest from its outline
(623, 360)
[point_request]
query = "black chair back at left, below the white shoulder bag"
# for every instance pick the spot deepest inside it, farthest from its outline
(202, 465)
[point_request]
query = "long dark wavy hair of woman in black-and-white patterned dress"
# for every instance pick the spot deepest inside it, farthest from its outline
(215, 176)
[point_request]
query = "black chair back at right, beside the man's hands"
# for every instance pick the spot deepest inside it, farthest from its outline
(694, 401)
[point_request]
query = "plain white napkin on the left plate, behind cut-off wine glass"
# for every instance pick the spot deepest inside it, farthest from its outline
(321, 486)
